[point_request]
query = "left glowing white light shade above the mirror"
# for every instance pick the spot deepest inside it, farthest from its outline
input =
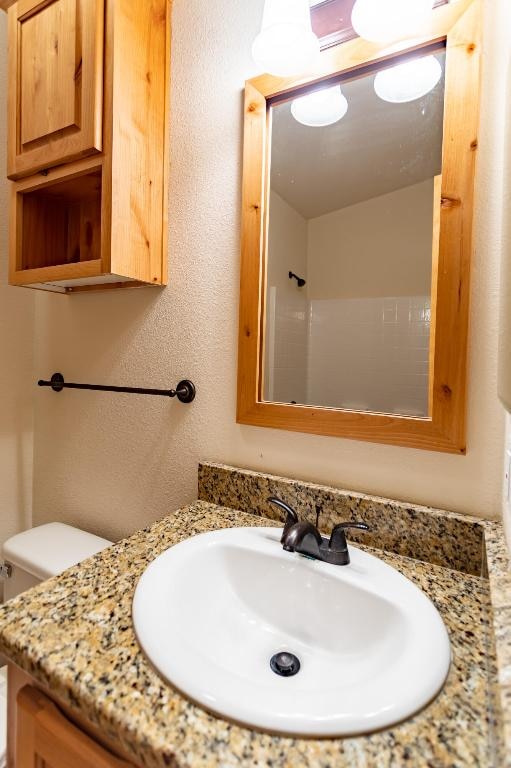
(286, 45)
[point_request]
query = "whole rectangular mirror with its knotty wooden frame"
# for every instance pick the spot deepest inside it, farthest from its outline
(356, 240)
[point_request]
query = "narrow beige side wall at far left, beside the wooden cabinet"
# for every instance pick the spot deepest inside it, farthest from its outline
(16, 355)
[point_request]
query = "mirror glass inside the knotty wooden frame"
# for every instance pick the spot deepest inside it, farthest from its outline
(352, 238)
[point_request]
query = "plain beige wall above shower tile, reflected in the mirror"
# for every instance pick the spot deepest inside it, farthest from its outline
(381, 247)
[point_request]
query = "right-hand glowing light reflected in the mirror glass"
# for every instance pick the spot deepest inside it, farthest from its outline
(408, 81)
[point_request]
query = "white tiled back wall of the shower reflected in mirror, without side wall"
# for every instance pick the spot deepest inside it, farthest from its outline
(370, 354)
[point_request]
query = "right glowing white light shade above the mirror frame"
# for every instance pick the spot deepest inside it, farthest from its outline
(382, 21)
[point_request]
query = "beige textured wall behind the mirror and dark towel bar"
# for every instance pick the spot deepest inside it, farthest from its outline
(112, 463)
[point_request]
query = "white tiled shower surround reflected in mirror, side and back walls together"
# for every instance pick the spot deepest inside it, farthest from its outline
(360, 354)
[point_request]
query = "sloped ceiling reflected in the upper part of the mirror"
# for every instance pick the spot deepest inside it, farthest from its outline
(376, 148)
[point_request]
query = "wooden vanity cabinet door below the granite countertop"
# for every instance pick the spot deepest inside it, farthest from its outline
(46, 739)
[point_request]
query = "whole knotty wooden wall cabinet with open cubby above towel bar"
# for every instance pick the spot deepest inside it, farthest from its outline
(87, 146)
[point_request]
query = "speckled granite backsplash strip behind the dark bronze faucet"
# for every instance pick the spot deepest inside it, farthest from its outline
(439, 537)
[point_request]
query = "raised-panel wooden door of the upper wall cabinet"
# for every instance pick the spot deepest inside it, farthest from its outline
(55, 82)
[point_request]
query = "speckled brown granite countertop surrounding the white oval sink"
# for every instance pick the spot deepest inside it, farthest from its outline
(74, 635)
